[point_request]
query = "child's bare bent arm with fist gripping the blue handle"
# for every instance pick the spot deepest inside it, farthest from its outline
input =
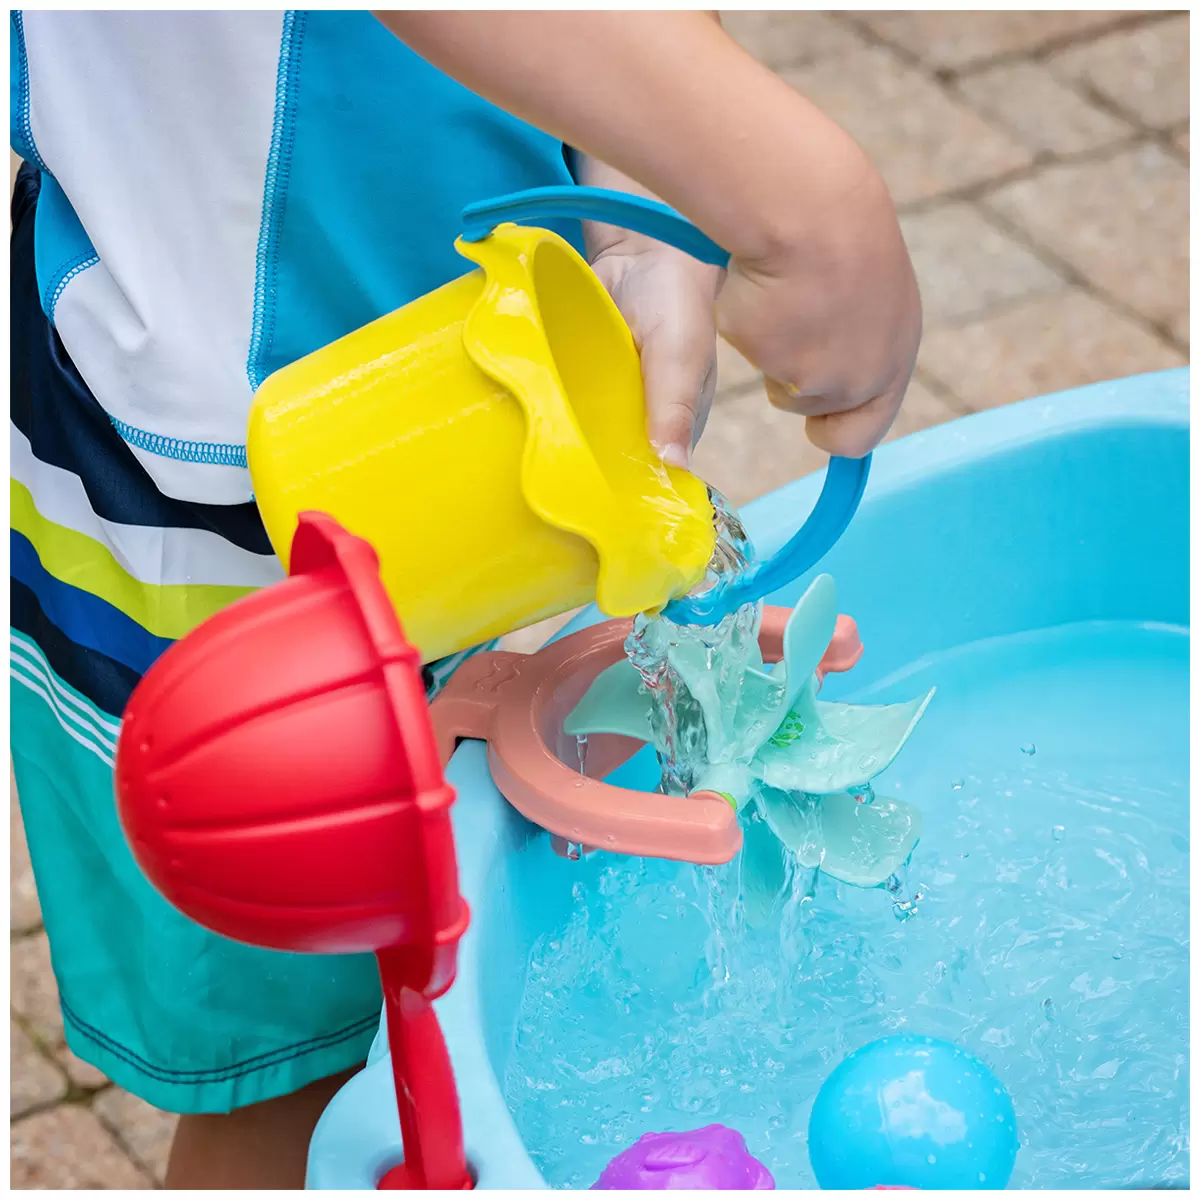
(820, 293)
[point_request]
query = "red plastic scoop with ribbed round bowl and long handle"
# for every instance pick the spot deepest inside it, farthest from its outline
(279, 781)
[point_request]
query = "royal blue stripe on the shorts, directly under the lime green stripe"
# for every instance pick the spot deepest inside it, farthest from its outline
(85, 619)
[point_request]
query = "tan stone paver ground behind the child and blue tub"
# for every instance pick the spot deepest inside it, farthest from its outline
(1040, 161)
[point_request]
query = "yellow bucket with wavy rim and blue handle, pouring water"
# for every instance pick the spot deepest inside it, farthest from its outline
(489, 440)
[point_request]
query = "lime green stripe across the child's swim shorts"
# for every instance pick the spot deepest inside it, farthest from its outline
(166, 610)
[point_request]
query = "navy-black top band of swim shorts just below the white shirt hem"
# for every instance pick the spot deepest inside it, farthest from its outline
(69, 429)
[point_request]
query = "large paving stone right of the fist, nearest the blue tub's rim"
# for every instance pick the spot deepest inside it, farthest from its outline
(1049, 344)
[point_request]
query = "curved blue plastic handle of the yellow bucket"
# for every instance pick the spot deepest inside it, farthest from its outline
(845, 478)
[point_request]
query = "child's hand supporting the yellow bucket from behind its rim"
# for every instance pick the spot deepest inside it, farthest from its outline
(669, 301)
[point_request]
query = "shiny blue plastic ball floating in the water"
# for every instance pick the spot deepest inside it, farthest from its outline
(913, 1112)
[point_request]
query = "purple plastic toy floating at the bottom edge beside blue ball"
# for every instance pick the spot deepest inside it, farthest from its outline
(713, 1159)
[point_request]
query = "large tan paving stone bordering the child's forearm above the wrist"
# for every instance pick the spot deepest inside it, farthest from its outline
(923, 141)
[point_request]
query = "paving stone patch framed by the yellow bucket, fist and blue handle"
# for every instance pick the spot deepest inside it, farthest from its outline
(752, 448)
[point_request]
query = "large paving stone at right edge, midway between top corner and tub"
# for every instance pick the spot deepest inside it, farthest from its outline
(1123, 223)
